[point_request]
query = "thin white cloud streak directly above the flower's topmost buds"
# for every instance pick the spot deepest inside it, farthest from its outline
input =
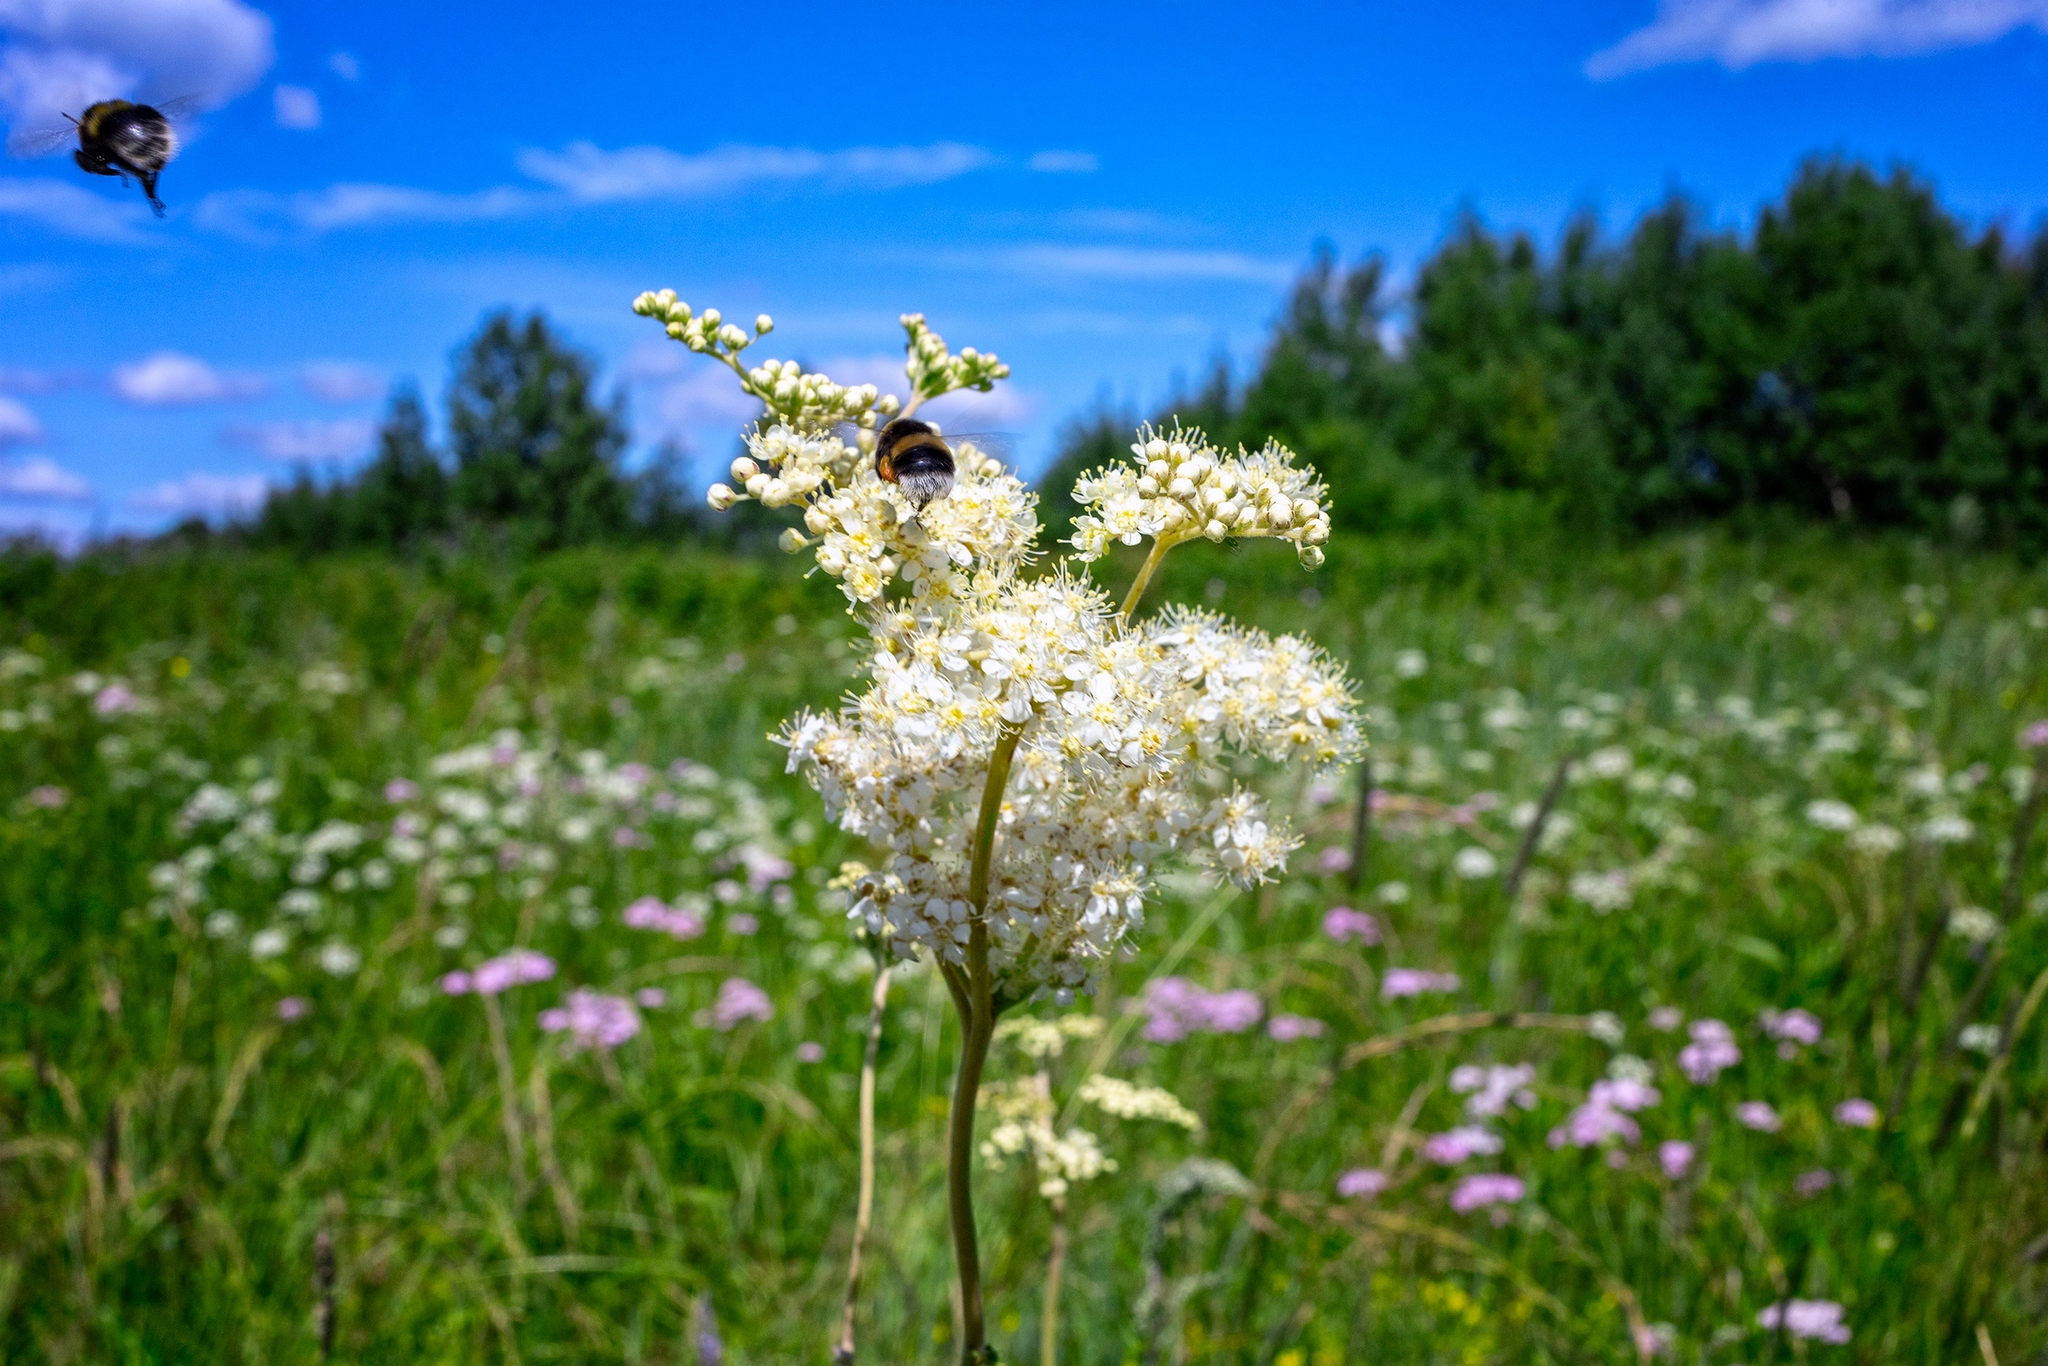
(593, 175)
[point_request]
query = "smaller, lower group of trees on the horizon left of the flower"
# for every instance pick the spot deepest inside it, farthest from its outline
(534, 464)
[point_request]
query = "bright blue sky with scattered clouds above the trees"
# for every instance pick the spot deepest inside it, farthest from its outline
(1107, 196)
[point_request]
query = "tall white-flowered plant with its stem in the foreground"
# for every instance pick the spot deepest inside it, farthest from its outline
(1025, 751)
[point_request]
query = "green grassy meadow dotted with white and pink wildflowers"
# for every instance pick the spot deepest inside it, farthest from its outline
(435, 964)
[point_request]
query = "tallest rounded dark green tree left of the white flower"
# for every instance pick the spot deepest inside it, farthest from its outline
(536, 452)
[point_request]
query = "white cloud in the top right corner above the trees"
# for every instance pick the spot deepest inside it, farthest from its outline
(1740, 34)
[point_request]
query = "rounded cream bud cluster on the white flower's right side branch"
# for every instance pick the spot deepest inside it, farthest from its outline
(1185, 488)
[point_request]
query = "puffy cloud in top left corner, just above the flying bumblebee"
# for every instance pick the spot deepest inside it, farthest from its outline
(65, 54)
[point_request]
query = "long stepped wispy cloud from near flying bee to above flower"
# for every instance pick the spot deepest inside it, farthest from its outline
(589, 175)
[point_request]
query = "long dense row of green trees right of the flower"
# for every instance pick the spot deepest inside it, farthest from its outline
(1859, 355)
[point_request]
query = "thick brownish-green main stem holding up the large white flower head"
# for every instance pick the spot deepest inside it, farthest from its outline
(978, 1025)
